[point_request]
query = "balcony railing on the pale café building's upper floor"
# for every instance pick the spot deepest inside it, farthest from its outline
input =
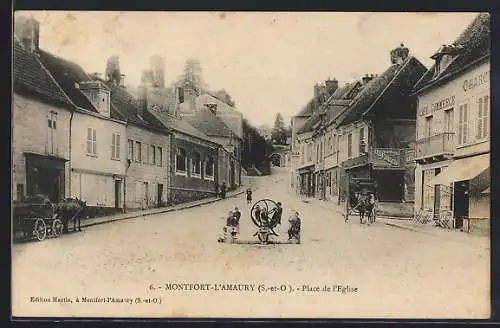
(438, 145)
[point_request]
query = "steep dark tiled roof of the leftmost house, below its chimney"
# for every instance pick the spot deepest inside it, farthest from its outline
(31, 77)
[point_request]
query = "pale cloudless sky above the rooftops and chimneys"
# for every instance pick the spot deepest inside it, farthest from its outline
(267, 61)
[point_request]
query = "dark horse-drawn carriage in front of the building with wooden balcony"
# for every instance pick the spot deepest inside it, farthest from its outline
(361, 199)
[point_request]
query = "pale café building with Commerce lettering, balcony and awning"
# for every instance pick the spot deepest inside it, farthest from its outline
(453, 135)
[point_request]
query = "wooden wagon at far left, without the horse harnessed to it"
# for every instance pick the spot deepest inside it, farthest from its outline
(36, 218)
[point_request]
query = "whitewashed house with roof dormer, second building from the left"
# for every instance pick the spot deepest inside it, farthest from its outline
(98, 134)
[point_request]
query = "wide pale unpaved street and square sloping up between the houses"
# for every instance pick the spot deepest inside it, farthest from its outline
(395, 273)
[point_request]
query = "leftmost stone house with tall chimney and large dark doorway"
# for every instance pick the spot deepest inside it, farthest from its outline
(41, 115)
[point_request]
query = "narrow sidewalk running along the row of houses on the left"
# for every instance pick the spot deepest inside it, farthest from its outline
(153, 211)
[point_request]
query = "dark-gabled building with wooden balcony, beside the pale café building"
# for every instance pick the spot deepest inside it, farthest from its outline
(377, 130)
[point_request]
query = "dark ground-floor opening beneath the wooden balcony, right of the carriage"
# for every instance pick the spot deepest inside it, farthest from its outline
(390, 185)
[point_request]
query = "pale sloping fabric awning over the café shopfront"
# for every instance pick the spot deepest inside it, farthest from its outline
(462, 169)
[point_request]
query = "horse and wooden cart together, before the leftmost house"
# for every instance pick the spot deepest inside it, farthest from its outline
(37, 217)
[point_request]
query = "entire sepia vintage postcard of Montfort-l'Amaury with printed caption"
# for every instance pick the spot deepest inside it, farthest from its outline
(251, 165)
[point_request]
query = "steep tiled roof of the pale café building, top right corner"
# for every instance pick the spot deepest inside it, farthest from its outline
(475, 42)
